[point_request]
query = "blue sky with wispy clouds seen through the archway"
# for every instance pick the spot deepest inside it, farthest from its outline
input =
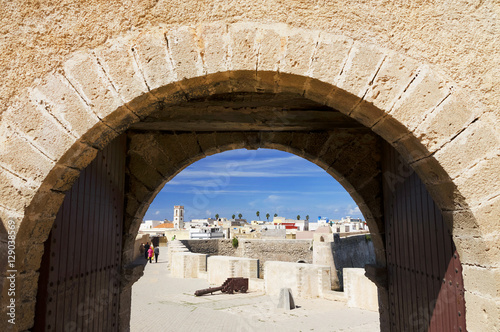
(246, 181)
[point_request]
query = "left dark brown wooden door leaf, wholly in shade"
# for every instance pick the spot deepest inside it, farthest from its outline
(83, 253)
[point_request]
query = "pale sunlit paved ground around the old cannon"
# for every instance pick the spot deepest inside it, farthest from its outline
(163, 303)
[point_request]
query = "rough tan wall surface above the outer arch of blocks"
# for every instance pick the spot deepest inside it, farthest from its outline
(426, 30)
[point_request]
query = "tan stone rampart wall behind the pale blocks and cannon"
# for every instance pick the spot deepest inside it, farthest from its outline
(262, 249)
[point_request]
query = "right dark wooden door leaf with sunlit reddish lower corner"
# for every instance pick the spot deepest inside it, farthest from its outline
(420, 254)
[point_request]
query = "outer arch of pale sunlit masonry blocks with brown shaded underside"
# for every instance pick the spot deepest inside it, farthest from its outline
(56, 129)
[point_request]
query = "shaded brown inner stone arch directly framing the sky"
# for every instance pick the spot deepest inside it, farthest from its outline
(351, 156)
